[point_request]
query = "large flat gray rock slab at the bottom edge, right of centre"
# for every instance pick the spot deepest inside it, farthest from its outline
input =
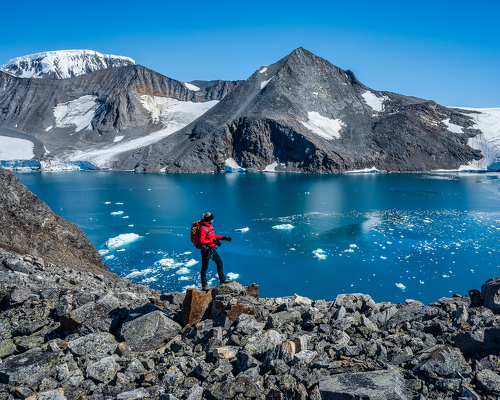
(376, 385)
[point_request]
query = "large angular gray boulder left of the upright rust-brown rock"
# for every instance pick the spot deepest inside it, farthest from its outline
(148, 328)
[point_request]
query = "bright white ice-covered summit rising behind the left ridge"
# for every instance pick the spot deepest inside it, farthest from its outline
(63, 64)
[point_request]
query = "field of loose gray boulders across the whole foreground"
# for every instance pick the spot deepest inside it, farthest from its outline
(70, 334)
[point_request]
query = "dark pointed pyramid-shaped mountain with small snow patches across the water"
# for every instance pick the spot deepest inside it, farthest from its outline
(303, 114)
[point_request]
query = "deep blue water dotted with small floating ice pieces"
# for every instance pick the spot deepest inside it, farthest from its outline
(393, 236)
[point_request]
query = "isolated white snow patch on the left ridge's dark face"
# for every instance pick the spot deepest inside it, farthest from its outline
(78, 112)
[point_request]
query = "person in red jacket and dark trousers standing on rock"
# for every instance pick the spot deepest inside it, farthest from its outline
(208, 243)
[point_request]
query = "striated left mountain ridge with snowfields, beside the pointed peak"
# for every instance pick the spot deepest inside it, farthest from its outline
(94, 115)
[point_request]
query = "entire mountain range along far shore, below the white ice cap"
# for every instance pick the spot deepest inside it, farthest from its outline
(301, 114)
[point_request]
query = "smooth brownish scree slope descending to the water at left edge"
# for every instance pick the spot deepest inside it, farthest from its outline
(29, 226)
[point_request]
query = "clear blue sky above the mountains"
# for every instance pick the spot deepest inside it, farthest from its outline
(446, 51)
